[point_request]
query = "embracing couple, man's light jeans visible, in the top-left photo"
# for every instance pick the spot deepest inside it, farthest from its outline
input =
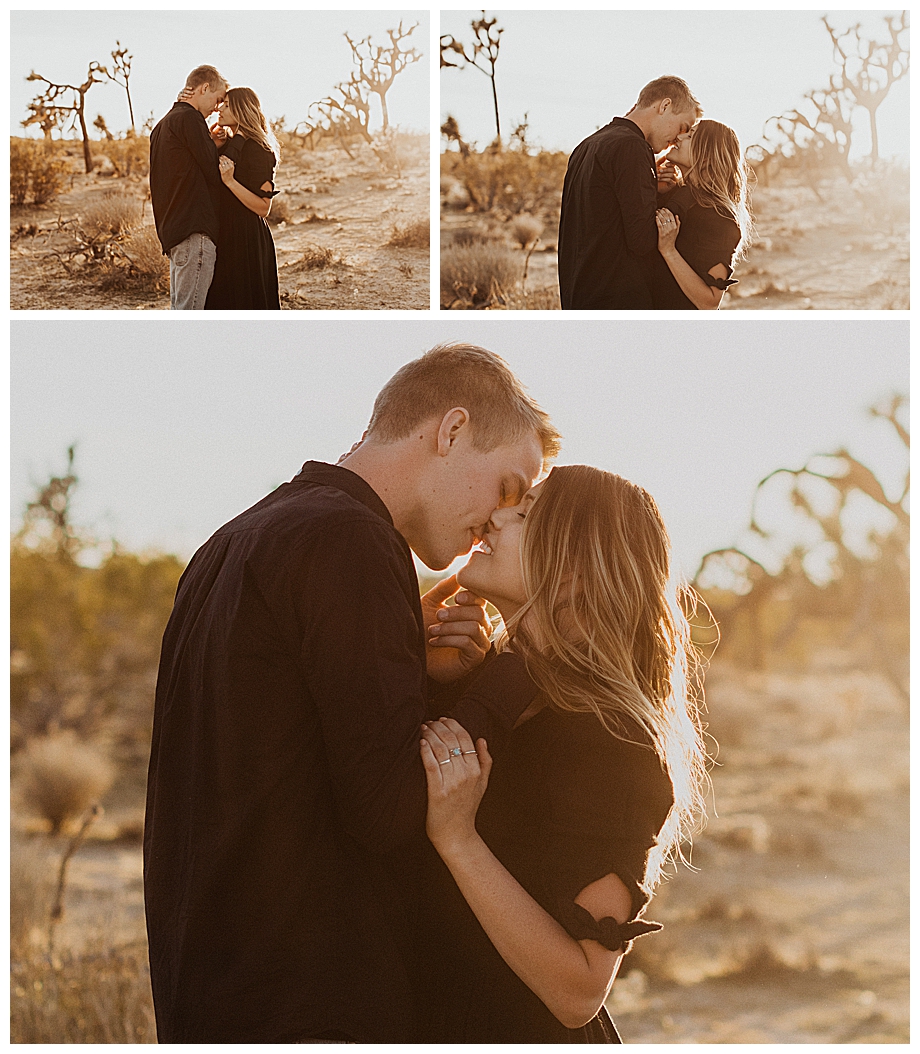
(211, 191)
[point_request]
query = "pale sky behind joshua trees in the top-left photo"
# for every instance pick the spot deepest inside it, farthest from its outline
(290, 58)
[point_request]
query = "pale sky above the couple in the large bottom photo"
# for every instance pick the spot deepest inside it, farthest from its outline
(179, 430)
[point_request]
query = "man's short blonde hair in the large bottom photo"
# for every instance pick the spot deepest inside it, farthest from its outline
(462, 375)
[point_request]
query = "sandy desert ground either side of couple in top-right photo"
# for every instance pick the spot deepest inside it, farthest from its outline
(848, 249)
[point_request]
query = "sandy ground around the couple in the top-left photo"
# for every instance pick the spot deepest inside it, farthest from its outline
(348, 207)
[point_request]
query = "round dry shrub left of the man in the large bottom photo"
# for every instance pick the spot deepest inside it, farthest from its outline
(60, 777)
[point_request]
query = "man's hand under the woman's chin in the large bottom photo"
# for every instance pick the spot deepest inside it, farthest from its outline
(458, 635)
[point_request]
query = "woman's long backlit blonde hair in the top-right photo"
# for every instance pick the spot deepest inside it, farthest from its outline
(719, 177)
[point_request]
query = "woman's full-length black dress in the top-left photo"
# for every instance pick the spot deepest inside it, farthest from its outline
(246, 277)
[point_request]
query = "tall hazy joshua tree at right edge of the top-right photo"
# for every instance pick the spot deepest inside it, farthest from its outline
(870, 68)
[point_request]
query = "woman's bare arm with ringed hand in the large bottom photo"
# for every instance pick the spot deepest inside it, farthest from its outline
(573, 978)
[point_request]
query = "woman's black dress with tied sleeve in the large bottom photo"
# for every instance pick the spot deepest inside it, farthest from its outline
(566, 805)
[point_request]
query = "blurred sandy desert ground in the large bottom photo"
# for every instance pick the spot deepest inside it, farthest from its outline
(794, 928)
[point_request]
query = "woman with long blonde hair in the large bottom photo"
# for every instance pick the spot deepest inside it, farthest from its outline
(550, 869)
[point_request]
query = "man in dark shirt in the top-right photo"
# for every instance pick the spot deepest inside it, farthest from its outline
(608, 236)
